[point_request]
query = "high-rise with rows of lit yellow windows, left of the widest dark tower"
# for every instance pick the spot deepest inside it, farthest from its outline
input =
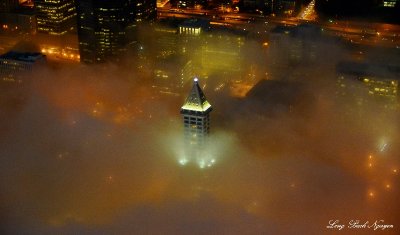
(55, 17)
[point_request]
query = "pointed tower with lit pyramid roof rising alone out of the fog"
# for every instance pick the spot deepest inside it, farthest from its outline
(196, 119)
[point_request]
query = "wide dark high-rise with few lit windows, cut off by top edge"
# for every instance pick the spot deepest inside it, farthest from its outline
(106, 29)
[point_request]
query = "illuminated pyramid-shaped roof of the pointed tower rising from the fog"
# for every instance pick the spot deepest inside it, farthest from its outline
(196, 101)
